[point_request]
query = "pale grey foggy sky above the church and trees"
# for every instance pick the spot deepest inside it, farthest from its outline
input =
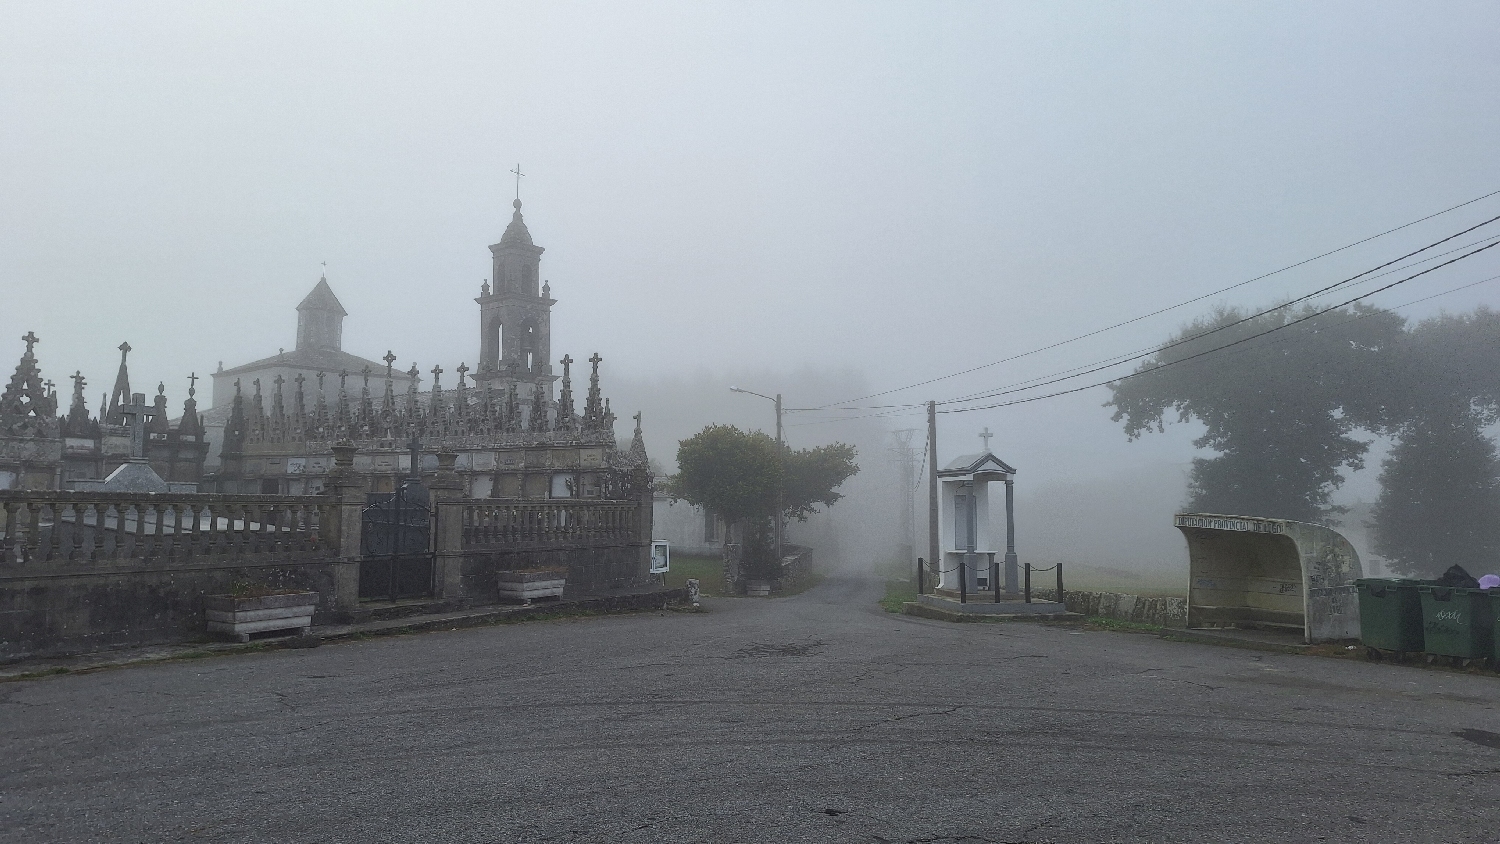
(827, 202)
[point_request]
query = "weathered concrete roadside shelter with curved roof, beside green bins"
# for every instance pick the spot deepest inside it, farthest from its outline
(1271, 573)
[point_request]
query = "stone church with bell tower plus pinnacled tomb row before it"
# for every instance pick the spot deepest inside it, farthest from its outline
(511, 421)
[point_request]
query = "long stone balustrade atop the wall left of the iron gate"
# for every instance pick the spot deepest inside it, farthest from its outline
(101, 527)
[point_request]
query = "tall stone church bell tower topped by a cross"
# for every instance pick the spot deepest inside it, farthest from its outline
(515, 317)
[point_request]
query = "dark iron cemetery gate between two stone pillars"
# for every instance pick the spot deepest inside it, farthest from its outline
(395, 545)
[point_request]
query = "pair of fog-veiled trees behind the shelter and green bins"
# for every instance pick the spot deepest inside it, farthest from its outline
(1283, 412)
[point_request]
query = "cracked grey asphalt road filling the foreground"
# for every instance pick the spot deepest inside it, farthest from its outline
(809, 719)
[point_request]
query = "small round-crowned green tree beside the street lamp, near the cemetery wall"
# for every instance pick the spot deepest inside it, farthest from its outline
(740, 474)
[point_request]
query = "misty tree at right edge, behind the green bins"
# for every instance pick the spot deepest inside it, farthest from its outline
(1441, 486)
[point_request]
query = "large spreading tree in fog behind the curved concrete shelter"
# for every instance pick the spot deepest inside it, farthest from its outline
(1280, 410)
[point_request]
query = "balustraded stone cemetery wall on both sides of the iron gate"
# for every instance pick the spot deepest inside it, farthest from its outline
(89, 570)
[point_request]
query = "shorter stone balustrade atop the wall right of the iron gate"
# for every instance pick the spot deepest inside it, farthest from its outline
(493, 524)
